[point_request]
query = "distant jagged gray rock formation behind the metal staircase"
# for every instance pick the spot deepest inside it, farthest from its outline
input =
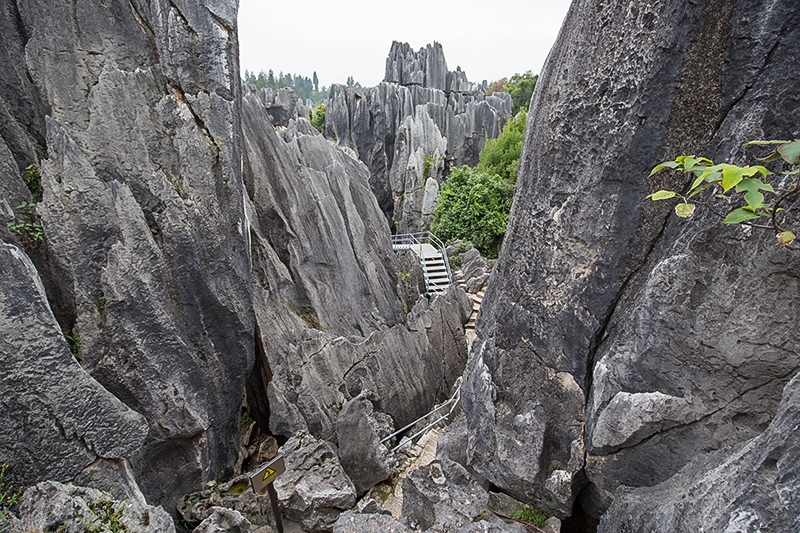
(412, 128)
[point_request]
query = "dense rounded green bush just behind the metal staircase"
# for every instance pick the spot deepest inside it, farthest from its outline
(474, 207)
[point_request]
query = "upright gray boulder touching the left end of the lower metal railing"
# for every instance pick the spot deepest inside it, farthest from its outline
(359, 430)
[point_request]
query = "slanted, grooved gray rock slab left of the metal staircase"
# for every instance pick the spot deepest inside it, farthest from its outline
(329, 313)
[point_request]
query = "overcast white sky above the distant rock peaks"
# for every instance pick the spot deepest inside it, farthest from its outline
(488, 40)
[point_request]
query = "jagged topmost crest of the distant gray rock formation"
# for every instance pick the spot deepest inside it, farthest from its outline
(425, 68)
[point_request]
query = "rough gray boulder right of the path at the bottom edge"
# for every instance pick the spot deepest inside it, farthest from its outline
(442, 496)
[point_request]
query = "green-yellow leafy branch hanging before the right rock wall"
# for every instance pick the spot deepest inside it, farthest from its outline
(738, 194)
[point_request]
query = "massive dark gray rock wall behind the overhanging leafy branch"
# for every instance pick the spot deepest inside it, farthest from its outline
(617, 342)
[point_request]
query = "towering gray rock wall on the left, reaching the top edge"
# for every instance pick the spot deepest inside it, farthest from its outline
(146, 256)
